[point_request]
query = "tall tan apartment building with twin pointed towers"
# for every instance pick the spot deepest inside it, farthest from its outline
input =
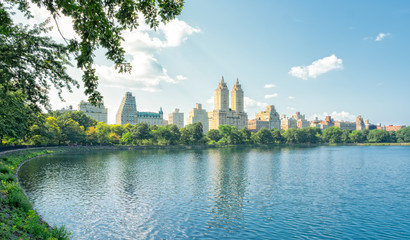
(222, 114)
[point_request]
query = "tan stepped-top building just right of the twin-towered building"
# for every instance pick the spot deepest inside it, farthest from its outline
(265, 119)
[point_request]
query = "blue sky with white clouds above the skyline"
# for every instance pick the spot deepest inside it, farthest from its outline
(341, 58)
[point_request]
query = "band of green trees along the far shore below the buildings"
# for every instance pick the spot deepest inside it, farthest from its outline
(76, 128)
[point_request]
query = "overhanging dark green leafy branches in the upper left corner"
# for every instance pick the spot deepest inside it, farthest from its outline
(31, 62)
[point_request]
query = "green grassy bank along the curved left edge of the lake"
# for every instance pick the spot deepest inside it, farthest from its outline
(18, 220)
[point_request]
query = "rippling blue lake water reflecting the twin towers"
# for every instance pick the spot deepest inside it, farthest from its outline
(237, 193)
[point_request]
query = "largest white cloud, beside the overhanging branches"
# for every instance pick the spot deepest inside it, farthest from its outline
(147, 73)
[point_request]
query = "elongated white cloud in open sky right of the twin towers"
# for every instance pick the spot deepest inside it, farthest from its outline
(317, 67)
